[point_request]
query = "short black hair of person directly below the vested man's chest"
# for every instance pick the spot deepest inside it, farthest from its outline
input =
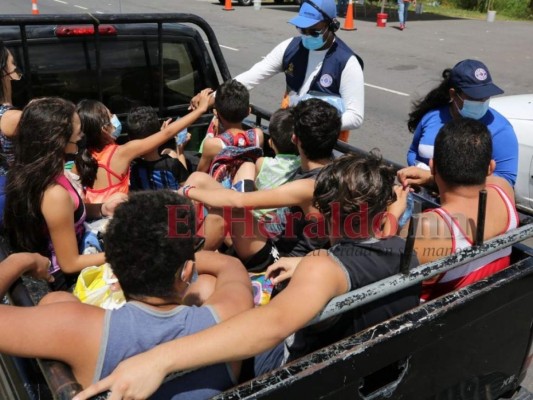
(317, 125)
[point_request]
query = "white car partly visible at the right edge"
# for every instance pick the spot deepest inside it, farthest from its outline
(519, 111)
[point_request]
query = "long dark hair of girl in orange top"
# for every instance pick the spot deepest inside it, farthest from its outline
(93, 116)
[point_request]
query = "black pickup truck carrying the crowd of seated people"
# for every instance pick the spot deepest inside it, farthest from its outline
(471, 344)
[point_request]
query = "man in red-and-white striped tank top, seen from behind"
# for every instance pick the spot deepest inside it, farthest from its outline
(461, 167)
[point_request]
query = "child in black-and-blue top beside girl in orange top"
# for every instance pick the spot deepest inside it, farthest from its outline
(154, 170)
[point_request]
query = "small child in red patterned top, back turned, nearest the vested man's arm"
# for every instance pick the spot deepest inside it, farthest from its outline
(231, 142)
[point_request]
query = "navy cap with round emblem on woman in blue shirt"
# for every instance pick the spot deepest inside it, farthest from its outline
(473, 78)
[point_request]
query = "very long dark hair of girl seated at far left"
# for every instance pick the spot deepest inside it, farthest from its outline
(43, 132)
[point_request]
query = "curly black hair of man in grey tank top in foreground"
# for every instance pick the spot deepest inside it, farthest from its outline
(148, 241)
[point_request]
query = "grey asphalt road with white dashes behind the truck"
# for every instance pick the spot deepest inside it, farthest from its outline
(400, 66)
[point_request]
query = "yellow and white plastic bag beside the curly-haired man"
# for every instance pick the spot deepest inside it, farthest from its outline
(95, 286)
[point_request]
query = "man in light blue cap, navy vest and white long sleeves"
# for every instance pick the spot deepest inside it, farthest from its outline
(316, 64)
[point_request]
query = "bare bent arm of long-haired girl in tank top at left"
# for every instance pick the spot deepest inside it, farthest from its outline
(58, 211)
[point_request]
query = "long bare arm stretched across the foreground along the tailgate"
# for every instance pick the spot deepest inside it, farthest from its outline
(316, 281)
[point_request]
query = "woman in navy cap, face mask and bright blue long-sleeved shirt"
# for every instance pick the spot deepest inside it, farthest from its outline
(464, 92)
